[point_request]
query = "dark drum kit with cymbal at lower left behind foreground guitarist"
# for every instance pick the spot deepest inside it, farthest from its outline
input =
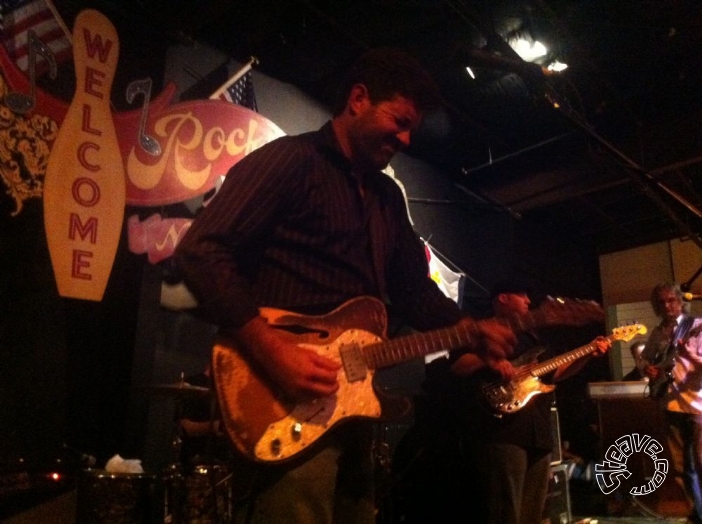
(180, 494)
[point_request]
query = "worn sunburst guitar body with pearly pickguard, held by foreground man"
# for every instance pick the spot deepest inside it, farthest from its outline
(261, 422)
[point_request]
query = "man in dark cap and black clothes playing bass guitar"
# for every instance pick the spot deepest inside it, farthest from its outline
(505, 456)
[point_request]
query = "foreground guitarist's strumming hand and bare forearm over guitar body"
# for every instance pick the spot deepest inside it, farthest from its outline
(298, 371)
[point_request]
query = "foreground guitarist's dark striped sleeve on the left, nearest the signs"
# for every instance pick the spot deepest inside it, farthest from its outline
(212, 255)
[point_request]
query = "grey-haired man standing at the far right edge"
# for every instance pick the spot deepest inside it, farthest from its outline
(673, 364)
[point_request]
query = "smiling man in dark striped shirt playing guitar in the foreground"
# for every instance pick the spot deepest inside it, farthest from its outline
(307, 223)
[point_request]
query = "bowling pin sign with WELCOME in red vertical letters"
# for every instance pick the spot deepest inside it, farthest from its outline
(84, 187)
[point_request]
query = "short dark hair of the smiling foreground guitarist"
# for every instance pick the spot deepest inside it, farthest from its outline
(387, 72)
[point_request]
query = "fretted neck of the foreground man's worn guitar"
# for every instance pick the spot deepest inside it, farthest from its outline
(403, 349)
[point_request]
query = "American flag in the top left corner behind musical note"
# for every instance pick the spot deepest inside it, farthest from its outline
(17, 17)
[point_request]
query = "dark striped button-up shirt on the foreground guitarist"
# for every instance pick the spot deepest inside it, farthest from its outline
(291, 229)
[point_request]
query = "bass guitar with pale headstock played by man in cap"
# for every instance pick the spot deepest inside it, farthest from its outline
(505, 397)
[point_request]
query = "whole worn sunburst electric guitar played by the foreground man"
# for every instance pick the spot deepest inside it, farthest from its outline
(265, 426)
